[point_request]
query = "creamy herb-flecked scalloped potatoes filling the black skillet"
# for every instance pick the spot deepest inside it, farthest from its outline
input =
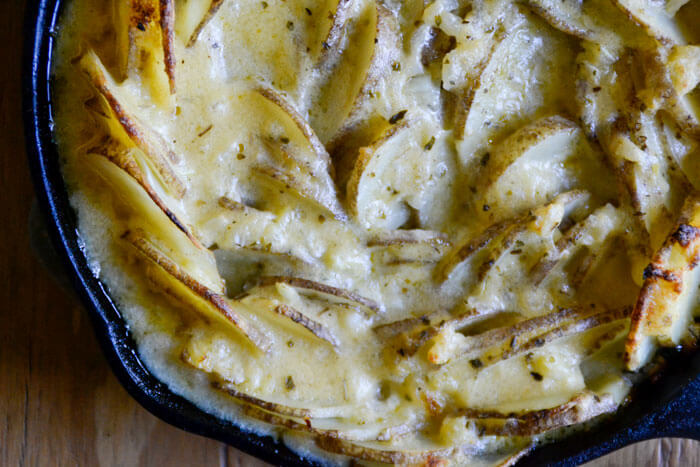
(401, 232)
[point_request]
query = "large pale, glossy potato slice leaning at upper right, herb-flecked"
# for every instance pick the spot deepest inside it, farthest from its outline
(504, 93)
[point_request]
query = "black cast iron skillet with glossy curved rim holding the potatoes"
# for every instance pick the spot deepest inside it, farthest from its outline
(666, 406)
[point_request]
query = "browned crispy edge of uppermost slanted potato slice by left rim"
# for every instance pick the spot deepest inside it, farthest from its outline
(134, 130)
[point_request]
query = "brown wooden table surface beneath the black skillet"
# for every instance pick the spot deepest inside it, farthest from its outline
(60, 402)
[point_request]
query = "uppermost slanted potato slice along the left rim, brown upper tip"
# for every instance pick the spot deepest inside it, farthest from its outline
(150, 142)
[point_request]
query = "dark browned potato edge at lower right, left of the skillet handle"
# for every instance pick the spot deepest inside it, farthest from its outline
(540, 421)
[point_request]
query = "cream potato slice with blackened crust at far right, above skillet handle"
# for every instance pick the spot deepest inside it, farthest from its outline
(669, 298)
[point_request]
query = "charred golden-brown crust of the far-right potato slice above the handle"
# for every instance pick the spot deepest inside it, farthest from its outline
(657, 277)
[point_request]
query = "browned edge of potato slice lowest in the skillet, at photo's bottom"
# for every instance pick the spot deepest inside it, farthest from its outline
(370, 454)
